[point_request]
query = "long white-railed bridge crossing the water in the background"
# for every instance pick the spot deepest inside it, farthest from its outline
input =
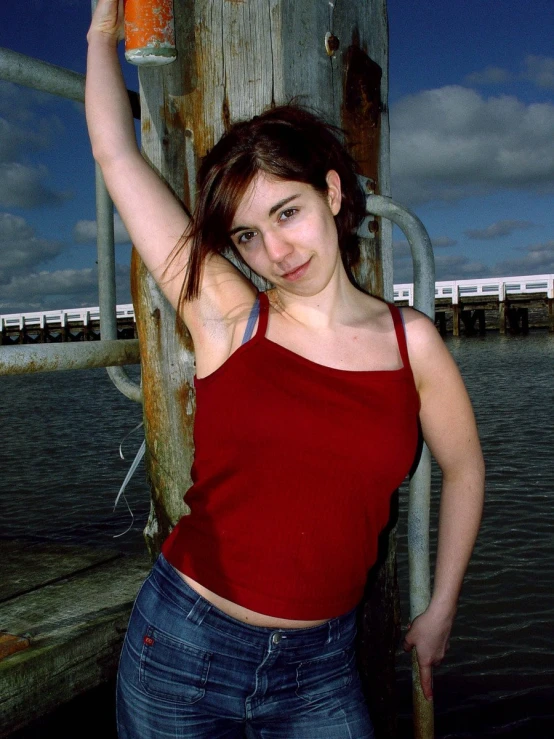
(462, 306)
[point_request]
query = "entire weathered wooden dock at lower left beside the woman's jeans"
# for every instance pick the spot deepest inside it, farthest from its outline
(63, 615)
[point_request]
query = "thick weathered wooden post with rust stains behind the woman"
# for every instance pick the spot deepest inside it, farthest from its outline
(235, 59)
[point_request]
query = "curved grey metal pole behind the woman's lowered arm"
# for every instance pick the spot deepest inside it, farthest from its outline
(420, 485)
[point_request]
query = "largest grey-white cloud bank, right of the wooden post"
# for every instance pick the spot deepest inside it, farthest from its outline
(451, 143)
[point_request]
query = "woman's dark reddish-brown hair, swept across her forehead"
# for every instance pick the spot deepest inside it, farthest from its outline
(288, 143)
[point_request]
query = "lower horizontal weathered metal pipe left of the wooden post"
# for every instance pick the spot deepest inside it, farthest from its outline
(18, 360)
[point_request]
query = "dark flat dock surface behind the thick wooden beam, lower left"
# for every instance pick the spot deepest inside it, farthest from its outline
(28, 565)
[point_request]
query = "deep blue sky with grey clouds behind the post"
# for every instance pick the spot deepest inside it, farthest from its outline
(471, 99)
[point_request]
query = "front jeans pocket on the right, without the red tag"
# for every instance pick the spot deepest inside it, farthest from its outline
(317, 677)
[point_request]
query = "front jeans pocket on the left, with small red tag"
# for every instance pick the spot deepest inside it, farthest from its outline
(171, 669)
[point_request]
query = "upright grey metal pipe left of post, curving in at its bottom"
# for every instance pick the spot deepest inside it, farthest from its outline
(105, 244)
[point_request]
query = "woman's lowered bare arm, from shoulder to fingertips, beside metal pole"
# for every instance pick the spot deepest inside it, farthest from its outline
(449, 428)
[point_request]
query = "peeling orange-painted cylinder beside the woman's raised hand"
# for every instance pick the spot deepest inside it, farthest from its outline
(149, 32)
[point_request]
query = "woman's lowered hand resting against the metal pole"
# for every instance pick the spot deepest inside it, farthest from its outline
(429, 634)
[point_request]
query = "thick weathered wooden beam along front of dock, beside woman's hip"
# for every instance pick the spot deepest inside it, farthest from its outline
(75, 626)
